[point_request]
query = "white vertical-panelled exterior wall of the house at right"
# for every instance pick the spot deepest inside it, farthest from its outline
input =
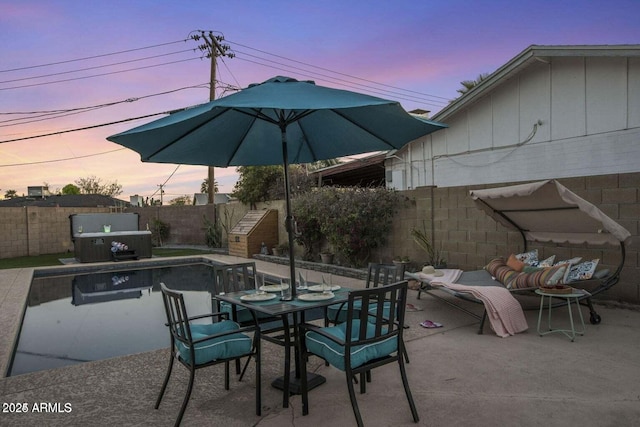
(588, 110)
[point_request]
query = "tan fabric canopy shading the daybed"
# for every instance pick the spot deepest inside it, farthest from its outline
(546, 211)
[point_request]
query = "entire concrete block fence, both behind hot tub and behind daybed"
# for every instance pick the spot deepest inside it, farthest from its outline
(468, 238)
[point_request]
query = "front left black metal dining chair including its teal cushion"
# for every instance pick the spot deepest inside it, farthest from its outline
(199, 345)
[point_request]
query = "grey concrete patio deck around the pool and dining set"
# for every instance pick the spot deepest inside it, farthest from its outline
(457, 378)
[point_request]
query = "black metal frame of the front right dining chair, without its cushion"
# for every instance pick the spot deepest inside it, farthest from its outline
(388, 325)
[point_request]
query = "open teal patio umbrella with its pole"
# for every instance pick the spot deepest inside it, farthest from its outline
(279, 121)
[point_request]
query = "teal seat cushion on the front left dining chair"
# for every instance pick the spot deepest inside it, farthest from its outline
(228, 346)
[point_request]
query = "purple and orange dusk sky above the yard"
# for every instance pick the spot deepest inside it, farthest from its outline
(67, 64)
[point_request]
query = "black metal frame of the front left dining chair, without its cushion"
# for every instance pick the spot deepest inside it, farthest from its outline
(180, 331)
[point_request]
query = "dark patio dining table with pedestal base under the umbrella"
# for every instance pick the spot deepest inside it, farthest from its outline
(291, 314)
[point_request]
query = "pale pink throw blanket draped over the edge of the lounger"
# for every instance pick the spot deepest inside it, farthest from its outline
(503, 310)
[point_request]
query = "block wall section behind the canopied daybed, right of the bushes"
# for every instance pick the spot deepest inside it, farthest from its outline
(469, 238)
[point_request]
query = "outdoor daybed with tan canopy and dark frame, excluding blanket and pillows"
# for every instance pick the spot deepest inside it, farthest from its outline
(544, 211)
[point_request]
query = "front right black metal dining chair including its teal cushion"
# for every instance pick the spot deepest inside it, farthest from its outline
(365, 341)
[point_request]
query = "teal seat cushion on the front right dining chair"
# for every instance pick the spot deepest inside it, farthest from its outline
(335, 353)
